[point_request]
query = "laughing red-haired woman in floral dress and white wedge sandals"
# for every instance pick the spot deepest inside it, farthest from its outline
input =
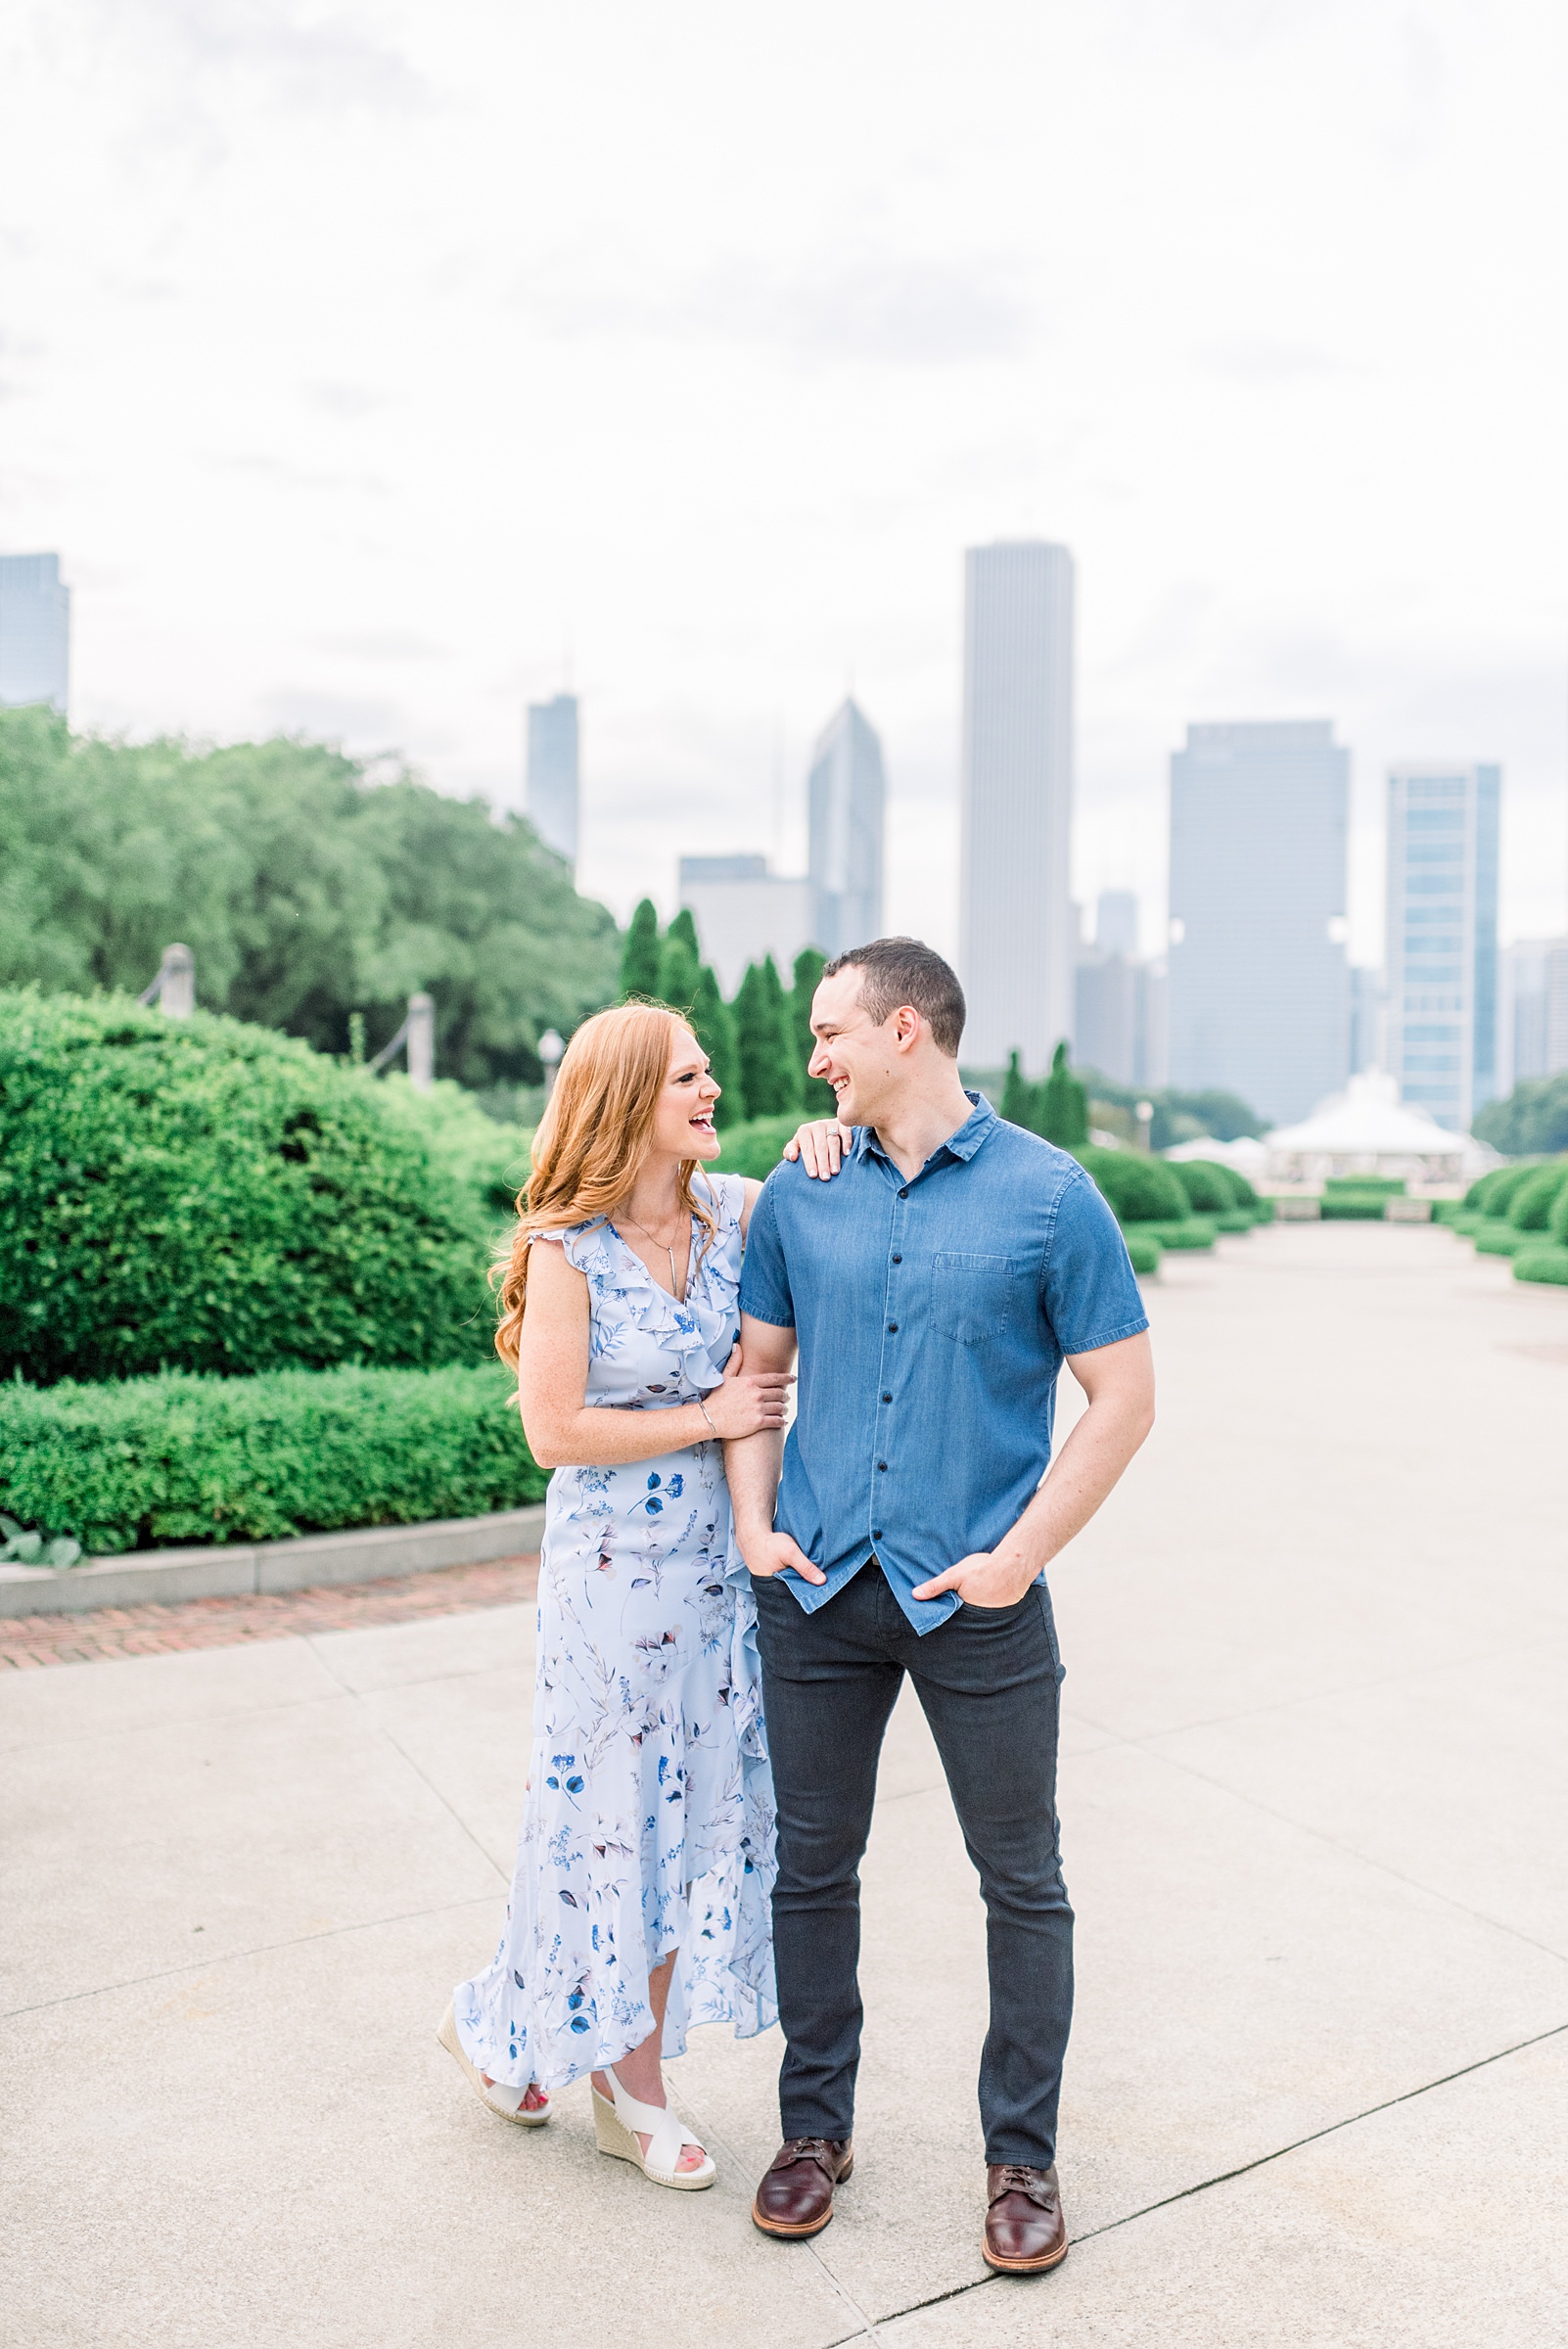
(640, 1902)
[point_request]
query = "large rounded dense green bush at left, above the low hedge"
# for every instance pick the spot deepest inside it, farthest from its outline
(201, 1194)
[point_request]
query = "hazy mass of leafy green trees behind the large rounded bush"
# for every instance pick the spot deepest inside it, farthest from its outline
(304, 889)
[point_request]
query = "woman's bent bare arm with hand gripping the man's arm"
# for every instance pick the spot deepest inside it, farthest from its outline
(553, 1366)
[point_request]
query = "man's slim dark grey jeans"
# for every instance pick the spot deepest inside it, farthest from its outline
(989, 1688)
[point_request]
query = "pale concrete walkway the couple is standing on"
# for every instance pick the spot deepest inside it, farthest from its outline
(1316, 1831)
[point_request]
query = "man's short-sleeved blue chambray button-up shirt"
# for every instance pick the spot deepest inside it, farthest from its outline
(933, 1319)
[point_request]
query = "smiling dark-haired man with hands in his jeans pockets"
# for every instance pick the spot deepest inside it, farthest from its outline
(935, 1291)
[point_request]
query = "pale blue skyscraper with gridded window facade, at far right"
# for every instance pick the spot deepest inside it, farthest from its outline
(1442, 938)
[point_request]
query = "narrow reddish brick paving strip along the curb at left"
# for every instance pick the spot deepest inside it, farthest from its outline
(111, 1634)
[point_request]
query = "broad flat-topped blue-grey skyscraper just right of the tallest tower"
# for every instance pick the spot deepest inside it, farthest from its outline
(1259, 999)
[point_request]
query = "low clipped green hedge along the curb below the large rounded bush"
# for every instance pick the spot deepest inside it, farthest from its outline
(142, 1465)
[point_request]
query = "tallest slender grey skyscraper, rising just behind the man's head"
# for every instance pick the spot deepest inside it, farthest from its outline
(1018, 936)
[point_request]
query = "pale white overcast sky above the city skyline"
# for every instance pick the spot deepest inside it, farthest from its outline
(381, 368)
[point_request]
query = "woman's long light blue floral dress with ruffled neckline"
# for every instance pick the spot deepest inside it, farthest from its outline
(649, 1815)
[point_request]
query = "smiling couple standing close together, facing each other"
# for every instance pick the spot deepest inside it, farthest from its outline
(726, 1617)
